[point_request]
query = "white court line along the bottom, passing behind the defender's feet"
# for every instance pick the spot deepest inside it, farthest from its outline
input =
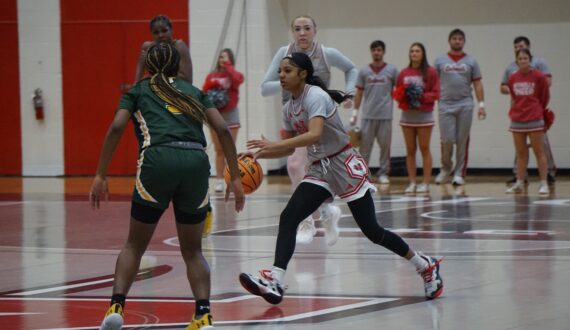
(280, 319)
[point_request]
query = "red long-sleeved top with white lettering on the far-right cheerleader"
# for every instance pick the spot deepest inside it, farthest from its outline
(529, 94)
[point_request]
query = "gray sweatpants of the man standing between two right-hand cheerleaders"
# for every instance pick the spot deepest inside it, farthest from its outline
(454, 128)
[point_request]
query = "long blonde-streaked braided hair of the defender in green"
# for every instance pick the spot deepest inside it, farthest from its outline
(162, 61)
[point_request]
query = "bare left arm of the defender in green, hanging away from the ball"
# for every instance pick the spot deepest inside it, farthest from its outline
(112, 138)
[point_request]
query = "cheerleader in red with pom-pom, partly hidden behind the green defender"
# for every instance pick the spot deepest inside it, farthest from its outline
(222, 85)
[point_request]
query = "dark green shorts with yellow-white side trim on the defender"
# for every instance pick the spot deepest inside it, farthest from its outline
(167, 174)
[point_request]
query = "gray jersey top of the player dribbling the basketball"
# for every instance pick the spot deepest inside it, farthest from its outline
(315, 102)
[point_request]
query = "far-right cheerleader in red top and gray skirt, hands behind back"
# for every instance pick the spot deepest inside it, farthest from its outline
(529, 99)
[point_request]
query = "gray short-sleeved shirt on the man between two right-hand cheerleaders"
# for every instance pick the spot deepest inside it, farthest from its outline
(455, 78)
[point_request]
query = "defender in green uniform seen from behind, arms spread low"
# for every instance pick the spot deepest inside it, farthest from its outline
(168, 114)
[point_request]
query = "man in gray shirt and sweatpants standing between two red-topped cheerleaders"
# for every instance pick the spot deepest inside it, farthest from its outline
(457, 72)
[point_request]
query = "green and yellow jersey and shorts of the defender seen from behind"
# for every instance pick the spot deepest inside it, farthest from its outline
(172, 163)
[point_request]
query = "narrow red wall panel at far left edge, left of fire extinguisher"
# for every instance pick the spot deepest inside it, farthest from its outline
(11, 141)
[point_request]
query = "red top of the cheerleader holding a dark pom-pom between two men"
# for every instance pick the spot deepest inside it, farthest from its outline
(430, 85)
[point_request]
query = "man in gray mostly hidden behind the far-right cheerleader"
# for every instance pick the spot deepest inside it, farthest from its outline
(539, 64)
